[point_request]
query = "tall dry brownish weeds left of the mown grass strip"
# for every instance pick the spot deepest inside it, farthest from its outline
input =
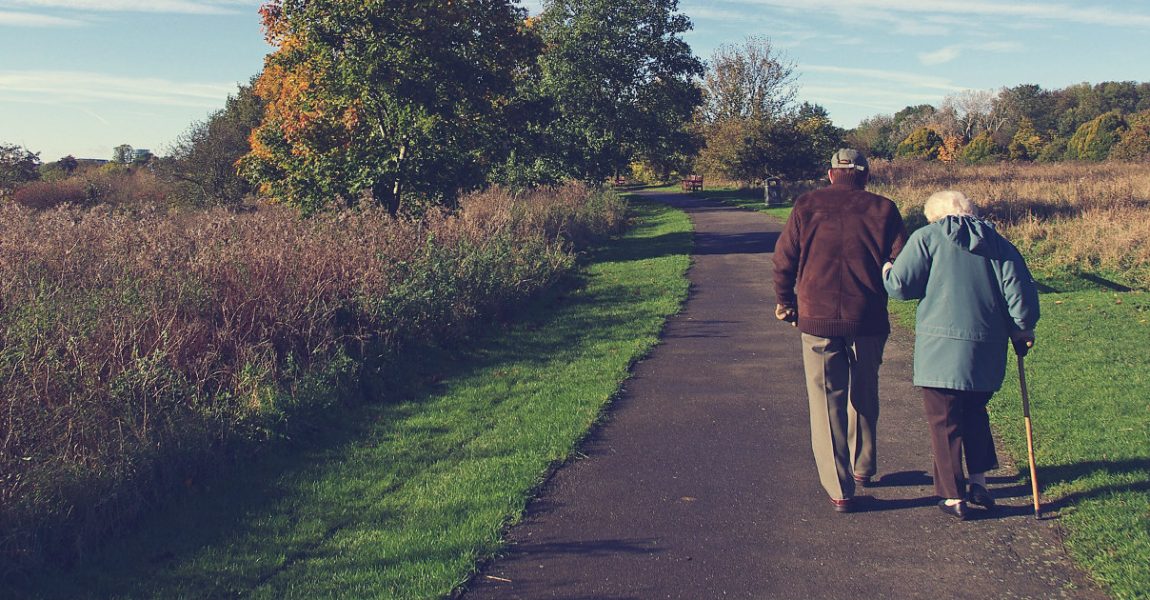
(134, 348)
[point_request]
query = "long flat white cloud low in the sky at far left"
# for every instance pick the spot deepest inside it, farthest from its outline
(83, 88)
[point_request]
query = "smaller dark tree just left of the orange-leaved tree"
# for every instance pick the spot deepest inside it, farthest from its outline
(204, 160)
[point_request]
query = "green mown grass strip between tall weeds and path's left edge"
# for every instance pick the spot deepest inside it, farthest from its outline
(404, 499)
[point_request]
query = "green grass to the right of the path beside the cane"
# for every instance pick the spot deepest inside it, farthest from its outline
(1090, 386)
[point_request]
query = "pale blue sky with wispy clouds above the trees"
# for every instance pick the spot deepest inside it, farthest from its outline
(82, 76)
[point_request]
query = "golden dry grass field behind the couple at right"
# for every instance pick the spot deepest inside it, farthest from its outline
(1065, 218)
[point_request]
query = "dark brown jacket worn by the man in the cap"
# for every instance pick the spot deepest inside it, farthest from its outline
(829, 260)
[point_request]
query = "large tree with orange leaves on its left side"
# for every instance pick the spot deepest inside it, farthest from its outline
(385, 101)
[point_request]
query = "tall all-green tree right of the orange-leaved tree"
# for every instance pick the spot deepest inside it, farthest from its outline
(622, 82)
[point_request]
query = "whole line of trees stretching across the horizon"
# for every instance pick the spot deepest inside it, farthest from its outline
(409, 104)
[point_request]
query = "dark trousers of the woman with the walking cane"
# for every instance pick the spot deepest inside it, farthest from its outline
(960, 425)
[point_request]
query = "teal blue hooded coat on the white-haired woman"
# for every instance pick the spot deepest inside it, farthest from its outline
(975, 290)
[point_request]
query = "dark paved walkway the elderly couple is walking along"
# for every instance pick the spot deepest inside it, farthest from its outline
(701, 483)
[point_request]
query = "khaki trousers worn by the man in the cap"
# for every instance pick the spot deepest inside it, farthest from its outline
(842, 387)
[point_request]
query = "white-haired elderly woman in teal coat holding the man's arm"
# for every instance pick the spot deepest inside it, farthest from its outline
(976, 294)
